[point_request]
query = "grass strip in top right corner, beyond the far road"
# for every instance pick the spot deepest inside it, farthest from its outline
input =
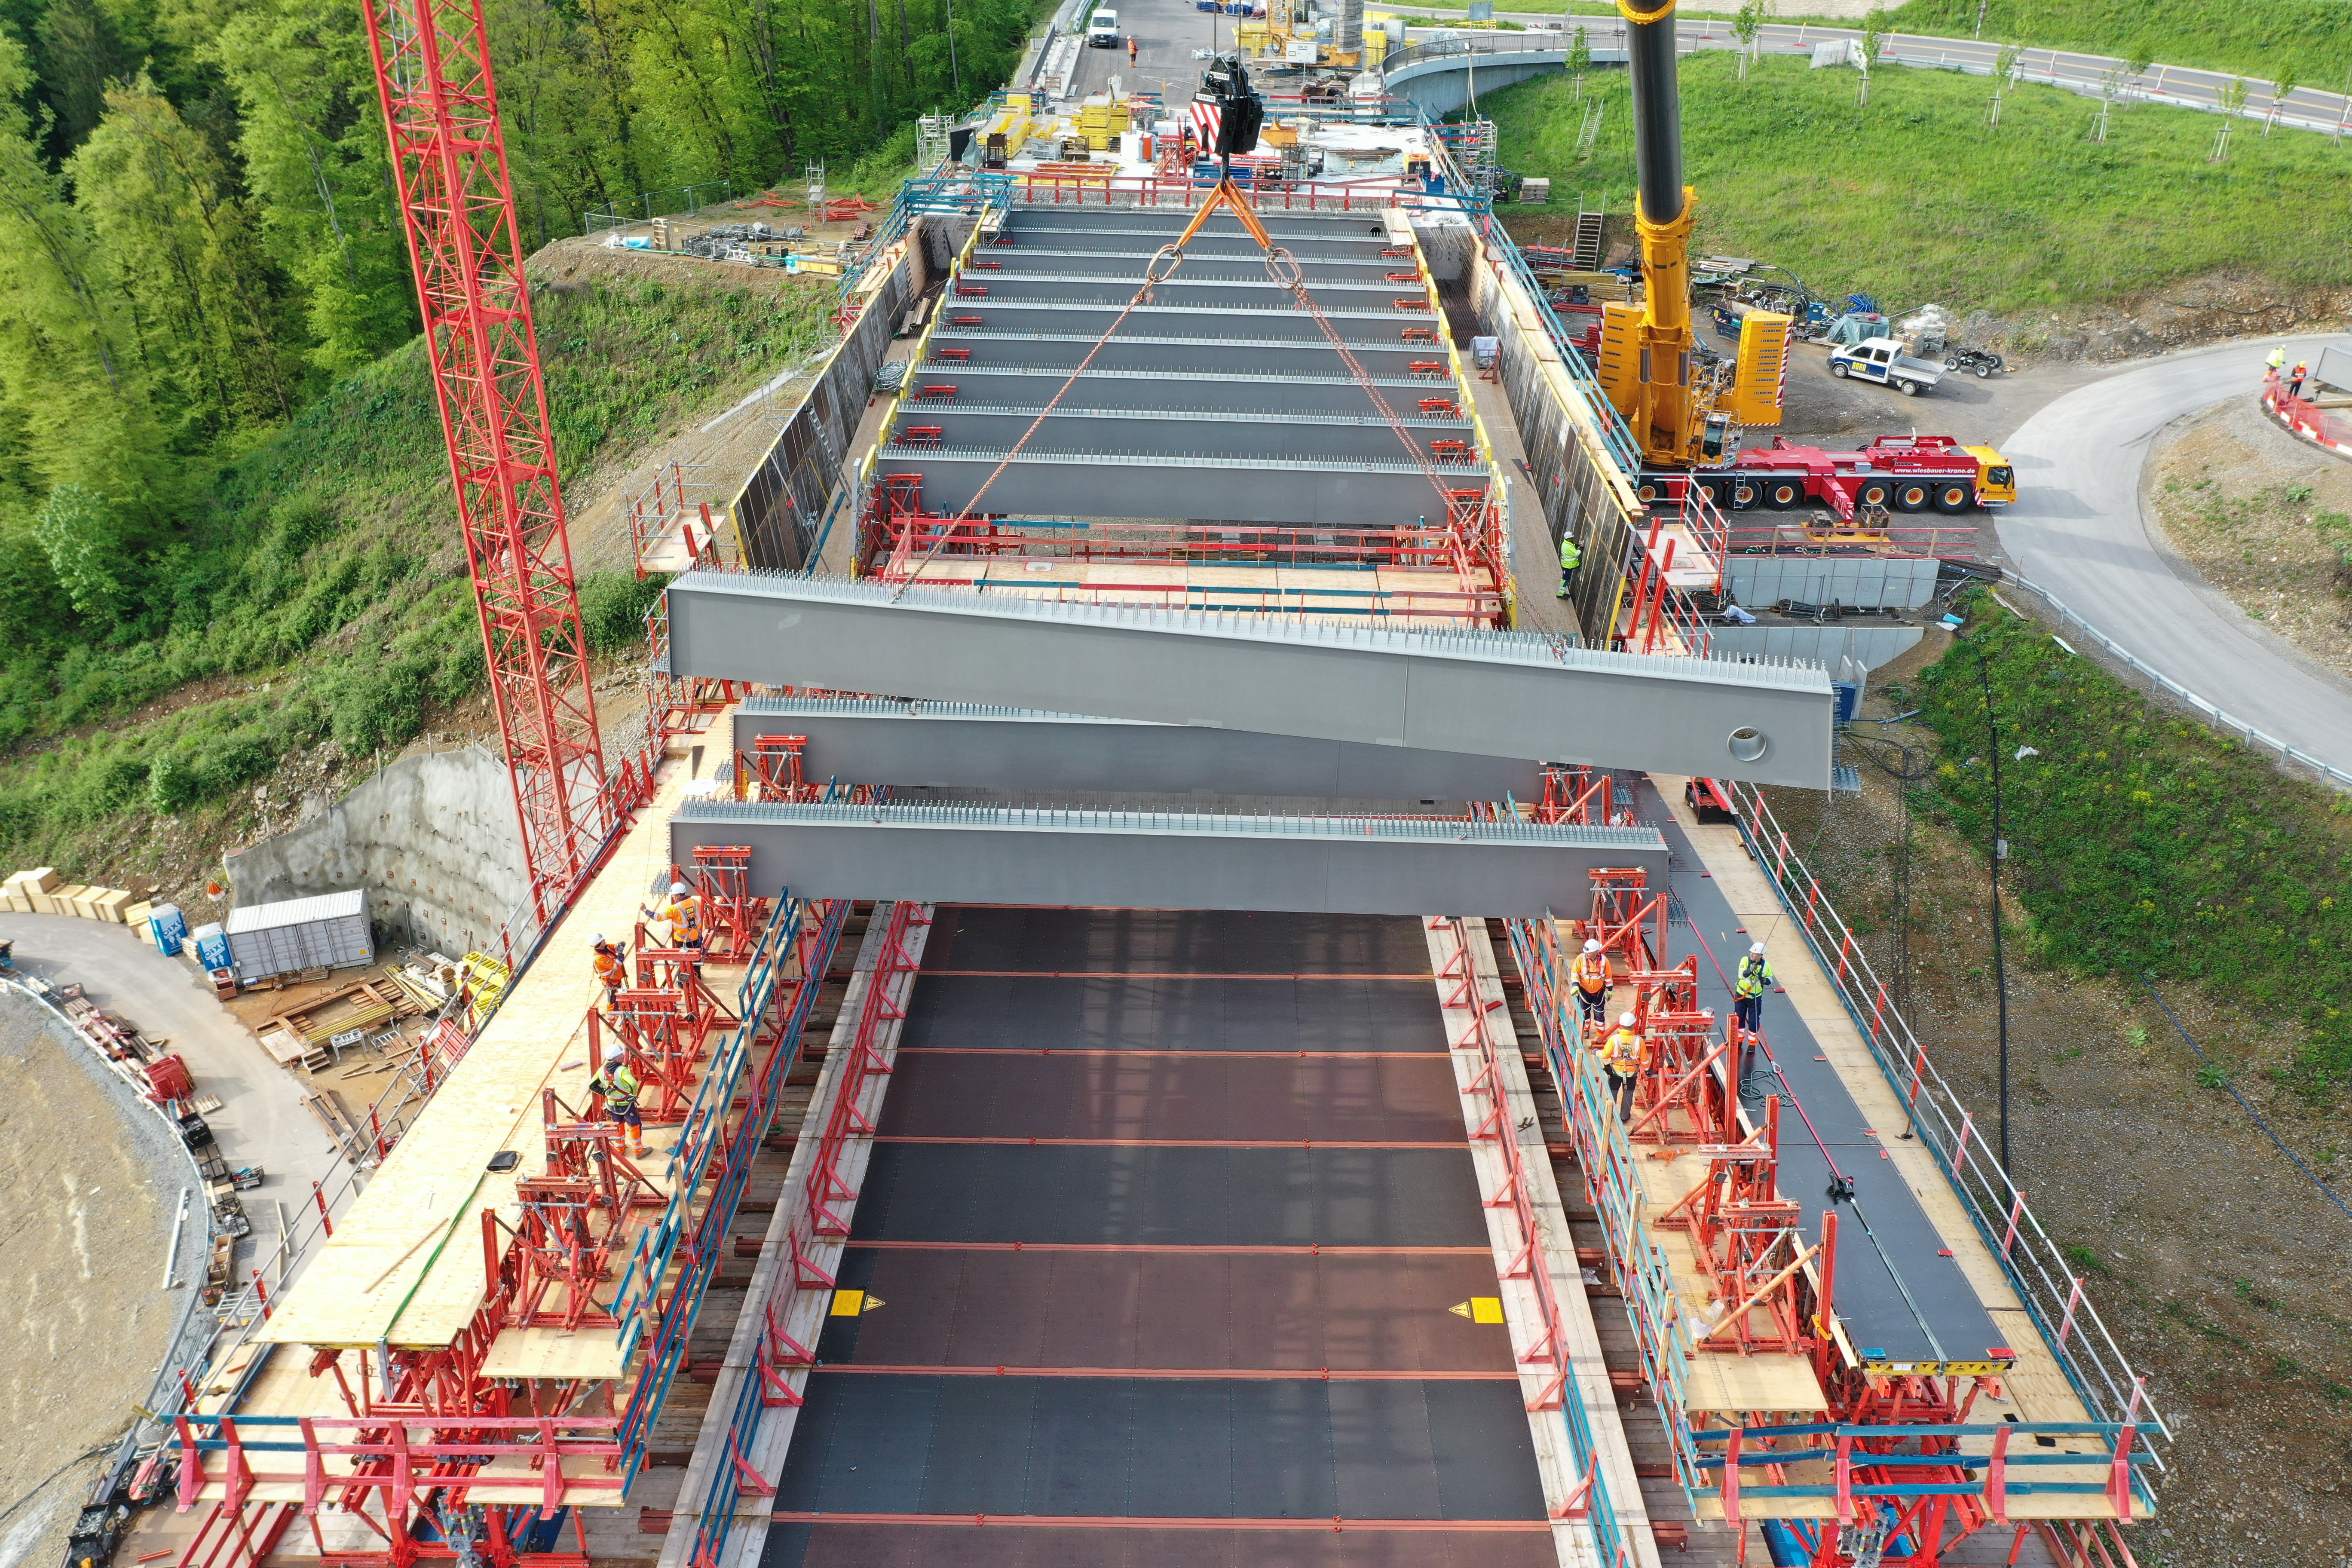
(2259, 39)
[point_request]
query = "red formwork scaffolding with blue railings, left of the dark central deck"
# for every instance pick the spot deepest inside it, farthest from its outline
(443, 1461)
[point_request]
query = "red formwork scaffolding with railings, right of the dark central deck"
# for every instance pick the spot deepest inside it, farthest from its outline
(1895, 1470)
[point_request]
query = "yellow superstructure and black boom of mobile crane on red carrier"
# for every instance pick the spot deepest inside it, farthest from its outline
(1648, 351)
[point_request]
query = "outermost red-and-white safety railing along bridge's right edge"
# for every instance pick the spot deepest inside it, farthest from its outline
(2036, 1266)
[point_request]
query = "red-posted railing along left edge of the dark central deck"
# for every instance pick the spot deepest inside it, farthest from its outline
(813, 1221)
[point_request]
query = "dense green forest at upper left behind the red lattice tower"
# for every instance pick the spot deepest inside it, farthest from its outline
(199, 241)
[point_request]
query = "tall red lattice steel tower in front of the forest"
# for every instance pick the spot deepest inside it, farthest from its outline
(441, 114)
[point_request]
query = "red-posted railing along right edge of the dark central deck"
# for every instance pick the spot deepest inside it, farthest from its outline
(1589, 1499)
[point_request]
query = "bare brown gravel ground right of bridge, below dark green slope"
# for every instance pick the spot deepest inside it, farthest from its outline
(2219, 1268)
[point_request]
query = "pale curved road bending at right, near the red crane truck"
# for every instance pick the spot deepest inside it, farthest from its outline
(2078, 530)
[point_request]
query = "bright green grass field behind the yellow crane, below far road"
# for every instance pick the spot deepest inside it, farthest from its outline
(1916, 199)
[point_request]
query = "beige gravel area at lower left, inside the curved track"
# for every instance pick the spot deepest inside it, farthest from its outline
(91, 1181)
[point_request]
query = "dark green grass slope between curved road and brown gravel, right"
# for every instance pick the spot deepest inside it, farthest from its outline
(2144, 843)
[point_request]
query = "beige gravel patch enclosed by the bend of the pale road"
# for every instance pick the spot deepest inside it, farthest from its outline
(2261, 516)
